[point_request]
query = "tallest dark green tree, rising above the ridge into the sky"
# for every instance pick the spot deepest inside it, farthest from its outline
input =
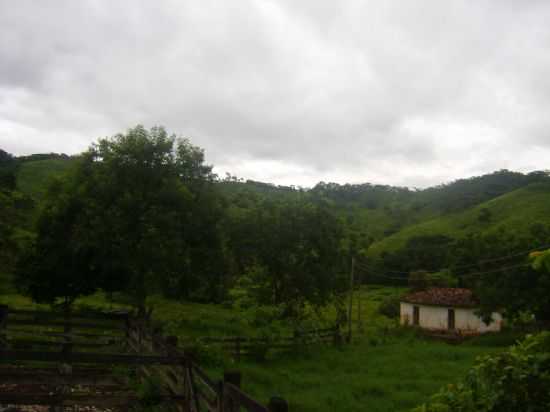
(123, 220)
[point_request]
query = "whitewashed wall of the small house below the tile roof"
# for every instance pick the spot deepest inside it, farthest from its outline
(435, 317)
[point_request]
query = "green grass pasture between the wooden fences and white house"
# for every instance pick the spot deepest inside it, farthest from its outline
(386, 368)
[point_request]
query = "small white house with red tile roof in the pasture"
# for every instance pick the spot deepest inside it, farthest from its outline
(451, 309)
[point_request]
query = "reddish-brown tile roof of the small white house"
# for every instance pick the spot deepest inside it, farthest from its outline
(443, 297)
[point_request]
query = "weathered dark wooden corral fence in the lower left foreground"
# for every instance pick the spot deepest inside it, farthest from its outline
(83, 348)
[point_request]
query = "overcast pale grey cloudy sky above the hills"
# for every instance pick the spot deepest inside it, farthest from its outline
(410, 93)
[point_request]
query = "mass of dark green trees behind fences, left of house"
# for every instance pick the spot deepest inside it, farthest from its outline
(143, 213)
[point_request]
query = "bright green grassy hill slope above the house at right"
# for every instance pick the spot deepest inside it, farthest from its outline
(515, 212)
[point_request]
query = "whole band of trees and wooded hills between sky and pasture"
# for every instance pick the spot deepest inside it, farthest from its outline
(142, 212)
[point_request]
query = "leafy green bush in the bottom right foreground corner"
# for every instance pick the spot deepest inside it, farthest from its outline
(516, 380)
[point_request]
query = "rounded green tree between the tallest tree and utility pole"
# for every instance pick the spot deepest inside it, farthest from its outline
(288, 253)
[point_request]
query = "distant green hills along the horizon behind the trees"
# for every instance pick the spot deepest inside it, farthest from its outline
(380, 218)
